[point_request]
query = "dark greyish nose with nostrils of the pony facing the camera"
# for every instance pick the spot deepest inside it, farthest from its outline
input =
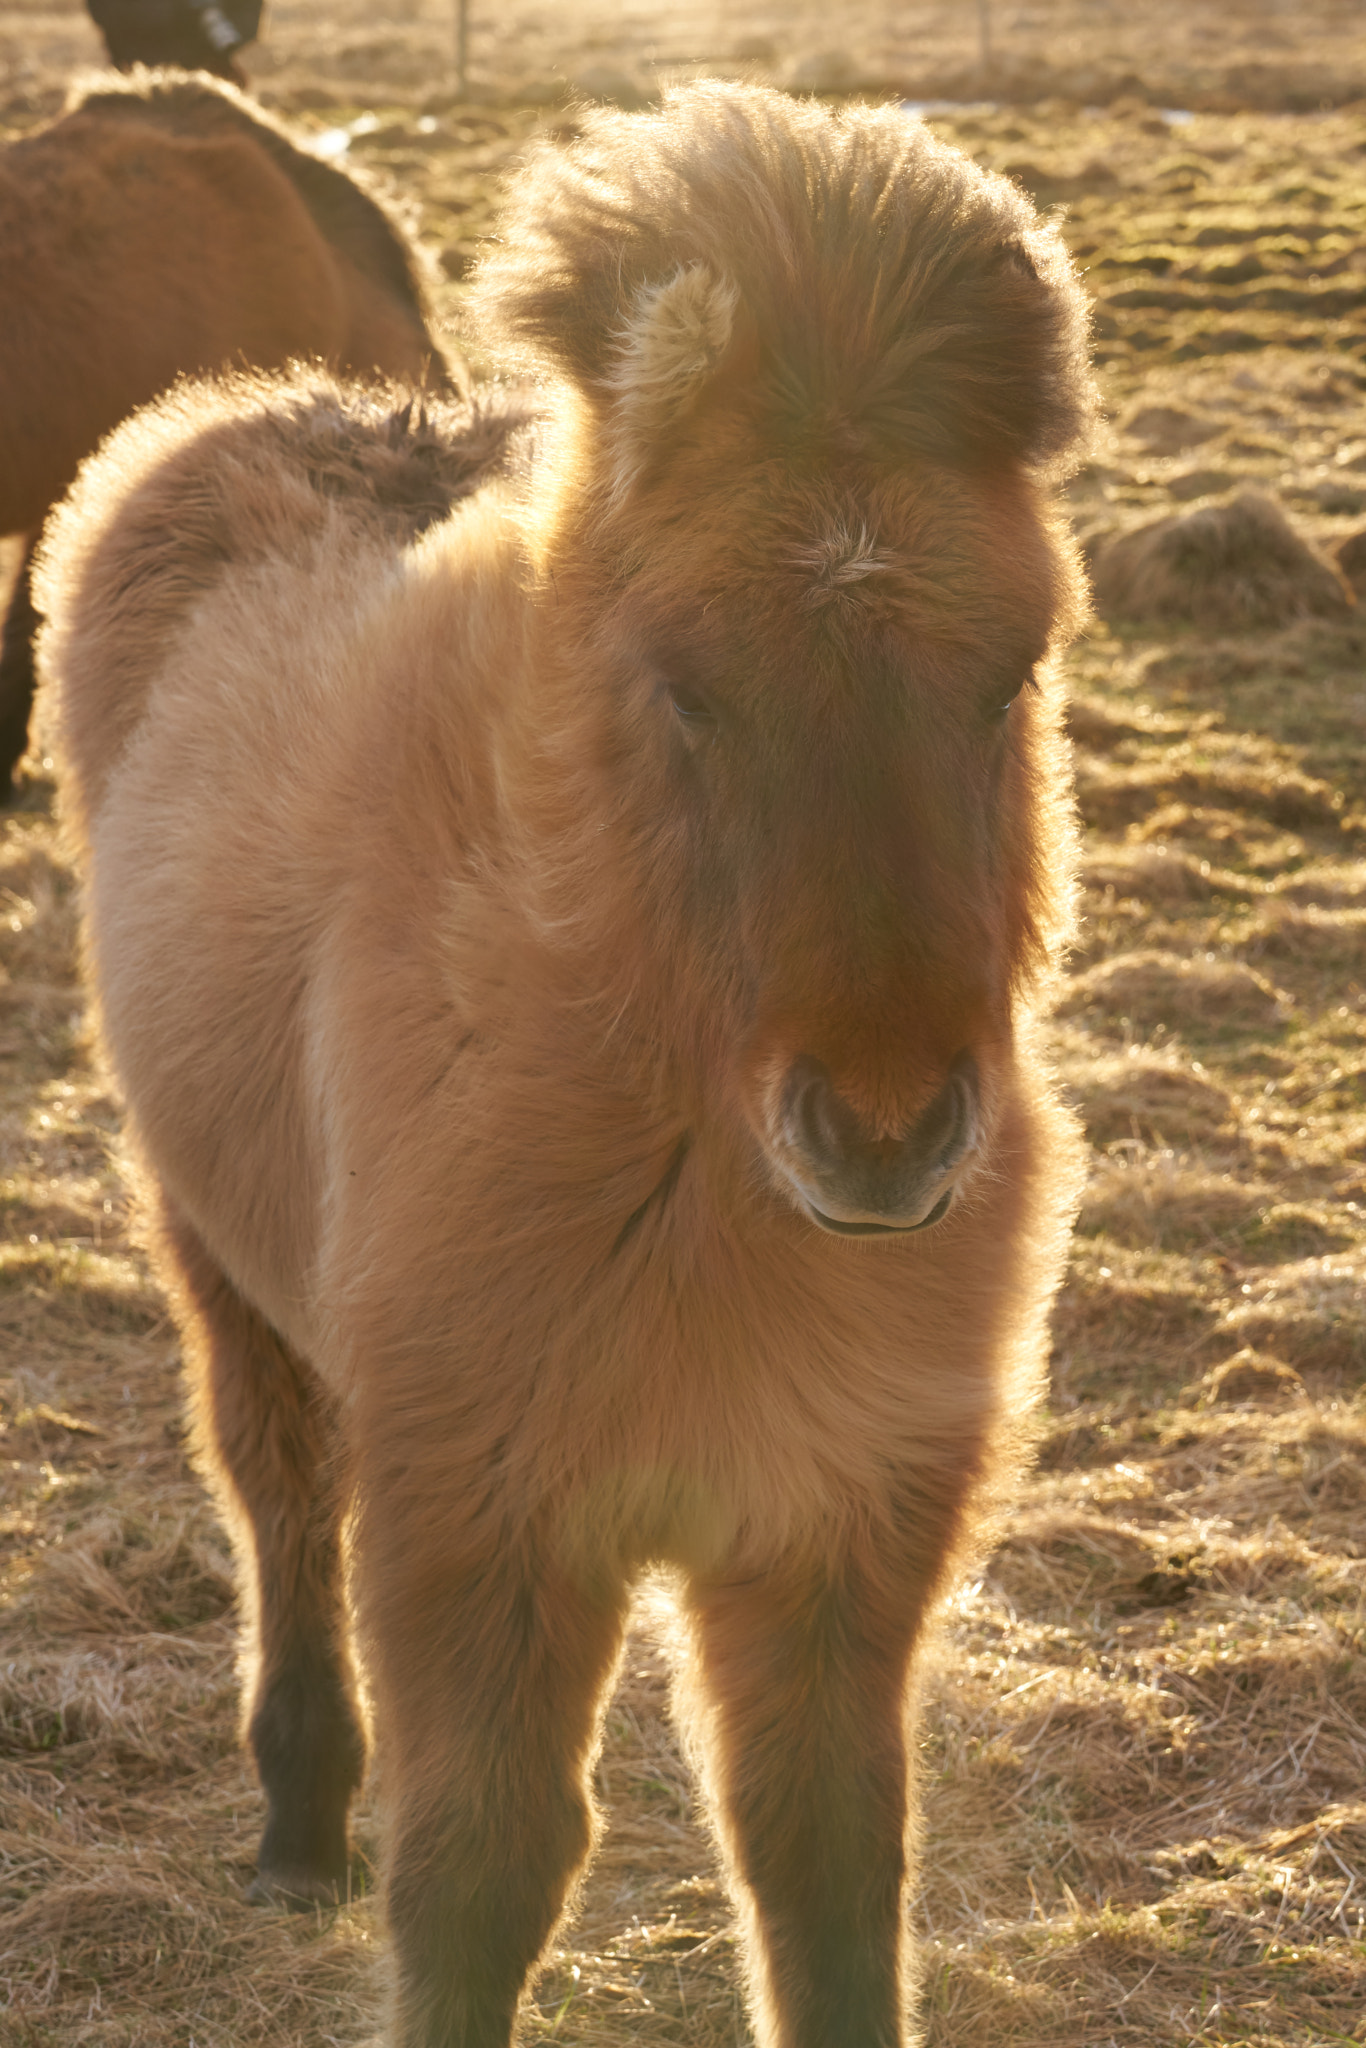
(865, 1187)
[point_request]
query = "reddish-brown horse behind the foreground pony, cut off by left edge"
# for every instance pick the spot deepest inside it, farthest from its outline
(165, 226)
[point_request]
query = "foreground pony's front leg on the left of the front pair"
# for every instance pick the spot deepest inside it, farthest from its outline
(488, 1672)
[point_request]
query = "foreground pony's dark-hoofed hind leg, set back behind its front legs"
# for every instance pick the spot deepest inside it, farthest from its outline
(271, 1449)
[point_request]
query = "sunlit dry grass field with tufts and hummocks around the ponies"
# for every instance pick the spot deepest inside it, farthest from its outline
(1144, 1746)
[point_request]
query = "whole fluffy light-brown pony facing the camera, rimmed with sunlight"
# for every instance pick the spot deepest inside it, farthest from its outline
(570, 976)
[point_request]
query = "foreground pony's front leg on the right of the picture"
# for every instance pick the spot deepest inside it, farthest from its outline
(800, 1691)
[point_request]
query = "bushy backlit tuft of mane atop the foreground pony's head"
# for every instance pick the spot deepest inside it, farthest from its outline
(894, 298)
